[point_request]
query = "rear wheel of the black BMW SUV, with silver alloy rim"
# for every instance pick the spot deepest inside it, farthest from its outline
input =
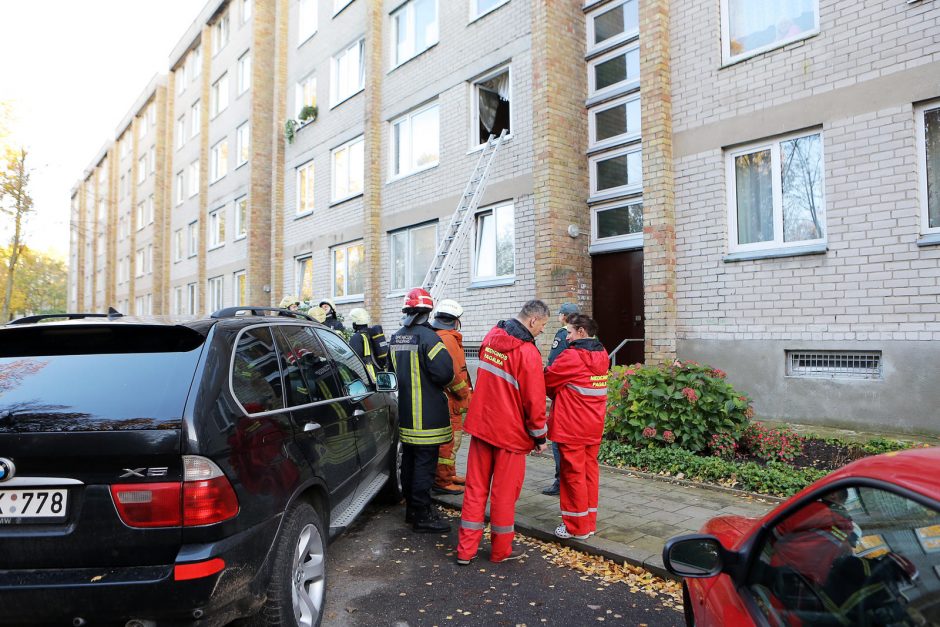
(296, 594)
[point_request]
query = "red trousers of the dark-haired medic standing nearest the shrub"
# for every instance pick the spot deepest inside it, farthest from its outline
(579, 487)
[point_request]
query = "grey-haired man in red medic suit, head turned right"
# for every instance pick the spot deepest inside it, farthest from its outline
(506, 421)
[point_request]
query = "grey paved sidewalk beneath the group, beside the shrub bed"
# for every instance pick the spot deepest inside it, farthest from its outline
(637, 513)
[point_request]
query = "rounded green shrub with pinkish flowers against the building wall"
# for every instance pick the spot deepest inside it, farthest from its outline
(680, 403)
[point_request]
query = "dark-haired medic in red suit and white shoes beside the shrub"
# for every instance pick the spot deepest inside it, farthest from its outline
(577, 384)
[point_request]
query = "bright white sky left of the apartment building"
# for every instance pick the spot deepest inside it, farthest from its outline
(72, 70)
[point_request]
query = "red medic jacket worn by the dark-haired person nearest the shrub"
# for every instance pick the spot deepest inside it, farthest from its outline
(577, 383)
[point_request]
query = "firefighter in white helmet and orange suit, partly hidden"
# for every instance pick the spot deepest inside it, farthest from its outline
(447, 324)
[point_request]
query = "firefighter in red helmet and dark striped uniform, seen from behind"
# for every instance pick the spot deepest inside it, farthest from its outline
(424, 369)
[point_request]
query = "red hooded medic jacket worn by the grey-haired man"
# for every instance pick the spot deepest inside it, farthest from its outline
(508, 405)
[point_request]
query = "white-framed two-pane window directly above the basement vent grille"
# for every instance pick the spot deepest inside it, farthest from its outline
(775, 194)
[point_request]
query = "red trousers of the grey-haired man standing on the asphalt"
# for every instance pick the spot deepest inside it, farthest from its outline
(496, 474)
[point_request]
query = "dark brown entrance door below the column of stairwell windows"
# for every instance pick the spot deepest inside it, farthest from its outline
(618, 302)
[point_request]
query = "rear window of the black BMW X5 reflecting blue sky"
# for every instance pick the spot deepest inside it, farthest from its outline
(95, 378)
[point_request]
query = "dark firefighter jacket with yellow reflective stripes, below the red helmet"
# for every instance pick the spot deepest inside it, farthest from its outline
(424, 369)
